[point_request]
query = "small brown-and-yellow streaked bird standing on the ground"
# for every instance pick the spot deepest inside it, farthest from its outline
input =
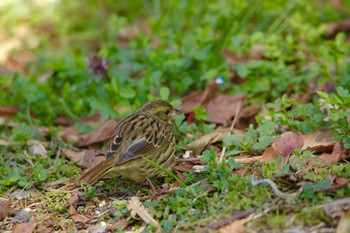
(148, 133)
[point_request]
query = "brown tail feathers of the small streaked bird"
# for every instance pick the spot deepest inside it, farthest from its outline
(94, 174)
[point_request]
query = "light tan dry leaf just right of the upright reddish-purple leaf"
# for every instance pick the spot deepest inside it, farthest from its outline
(320, 141)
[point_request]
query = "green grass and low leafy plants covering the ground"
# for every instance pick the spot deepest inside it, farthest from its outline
(166, 49)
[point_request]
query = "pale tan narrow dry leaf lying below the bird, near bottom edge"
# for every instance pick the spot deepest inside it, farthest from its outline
(136, 207)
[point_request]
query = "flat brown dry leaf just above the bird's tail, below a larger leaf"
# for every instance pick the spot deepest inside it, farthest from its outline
(85, 158)
